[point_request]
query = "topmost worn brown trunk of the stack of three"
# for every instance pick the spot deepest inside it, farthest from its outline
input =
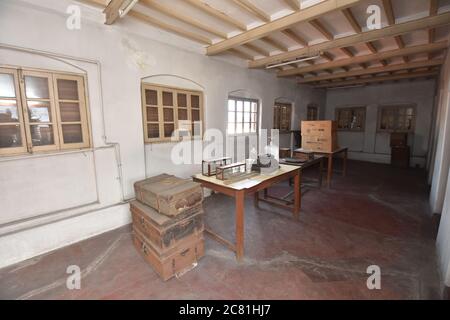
(168, 194)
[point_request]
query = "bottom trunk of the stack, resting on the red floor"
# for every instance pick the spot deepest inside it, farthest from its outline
(184, 257)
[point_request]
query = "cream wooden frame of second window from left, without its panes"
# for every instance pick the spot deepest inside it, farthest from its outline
(175, 91)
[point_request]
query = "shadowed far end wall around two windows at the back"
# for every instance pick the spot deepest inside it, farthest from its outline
(371, 145)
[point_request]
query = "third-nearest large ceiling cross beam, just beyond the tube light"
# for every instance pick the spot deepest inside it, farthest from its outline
(368, 58)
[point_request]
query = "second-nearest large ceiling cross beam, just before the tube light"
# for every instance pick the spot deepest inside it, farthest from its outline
(390, 31)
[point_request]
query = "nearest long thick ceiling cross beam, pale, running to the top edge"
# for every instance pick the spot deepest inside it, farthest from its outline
(283, 23)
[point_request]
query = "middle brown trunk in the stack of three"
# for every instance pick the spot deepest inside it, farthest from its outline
(163, 232)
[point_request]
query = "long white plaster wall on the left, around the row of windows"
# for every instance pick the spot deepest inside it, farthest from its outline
(86, 190)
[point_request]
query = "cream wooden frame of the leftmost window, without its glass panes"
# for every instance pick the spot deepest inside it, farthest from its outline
(53, 100)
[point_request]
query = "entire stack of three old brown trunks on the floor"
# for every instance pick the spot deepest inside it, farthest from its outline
(168, 223)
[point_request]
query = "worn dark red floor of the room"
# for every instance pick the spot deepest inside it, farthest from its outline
(376, 215)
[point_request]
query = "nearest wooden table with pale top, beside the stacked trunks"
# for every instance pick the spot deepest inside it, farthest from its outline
(252, 185)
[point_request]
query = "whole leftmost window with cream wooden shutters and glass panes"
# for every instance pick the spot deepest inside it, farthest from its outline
(48, 110)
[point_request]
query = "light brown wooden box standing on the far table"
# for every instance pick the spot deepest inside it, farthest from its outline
(319, 136)
